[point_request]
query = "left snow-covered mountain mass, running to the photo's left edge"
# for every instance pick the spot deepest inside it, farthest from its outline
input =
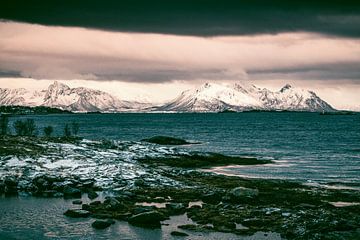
(61, 96)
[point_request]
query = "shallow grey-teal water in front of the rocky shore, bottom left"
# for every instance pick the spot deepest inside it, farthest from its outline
(42, 218)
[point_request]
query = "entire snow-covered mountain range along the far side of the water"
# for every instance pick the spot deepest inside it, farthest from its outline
(209, 97)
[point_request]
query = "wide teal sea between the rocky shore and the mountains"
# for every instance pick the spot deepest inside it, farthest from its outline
(305, 146)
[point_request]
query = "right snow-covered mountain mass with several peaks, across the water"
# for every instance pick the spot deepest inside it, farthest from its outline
(212, 97)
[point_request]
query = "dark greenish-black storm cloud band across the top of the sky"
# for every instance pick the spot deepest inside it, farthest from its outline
(201, 17)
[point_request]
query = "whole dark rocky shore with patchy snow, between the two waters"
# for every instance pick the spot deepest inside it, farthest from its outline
(145, 184)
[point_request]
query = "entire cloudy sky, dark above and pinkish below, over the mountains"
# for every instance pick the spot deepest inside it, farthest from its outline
(156, 49)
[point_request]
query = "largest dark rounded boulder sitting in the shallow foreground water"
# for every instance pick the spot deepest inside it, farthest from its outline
(147, 219)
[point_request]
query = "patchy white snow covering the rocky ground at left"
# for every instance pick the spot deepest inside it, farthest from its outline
(107, 164)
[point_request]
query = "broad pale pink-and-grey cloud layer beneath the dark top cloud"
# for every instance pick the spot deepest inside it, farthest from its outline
(45, 52)
